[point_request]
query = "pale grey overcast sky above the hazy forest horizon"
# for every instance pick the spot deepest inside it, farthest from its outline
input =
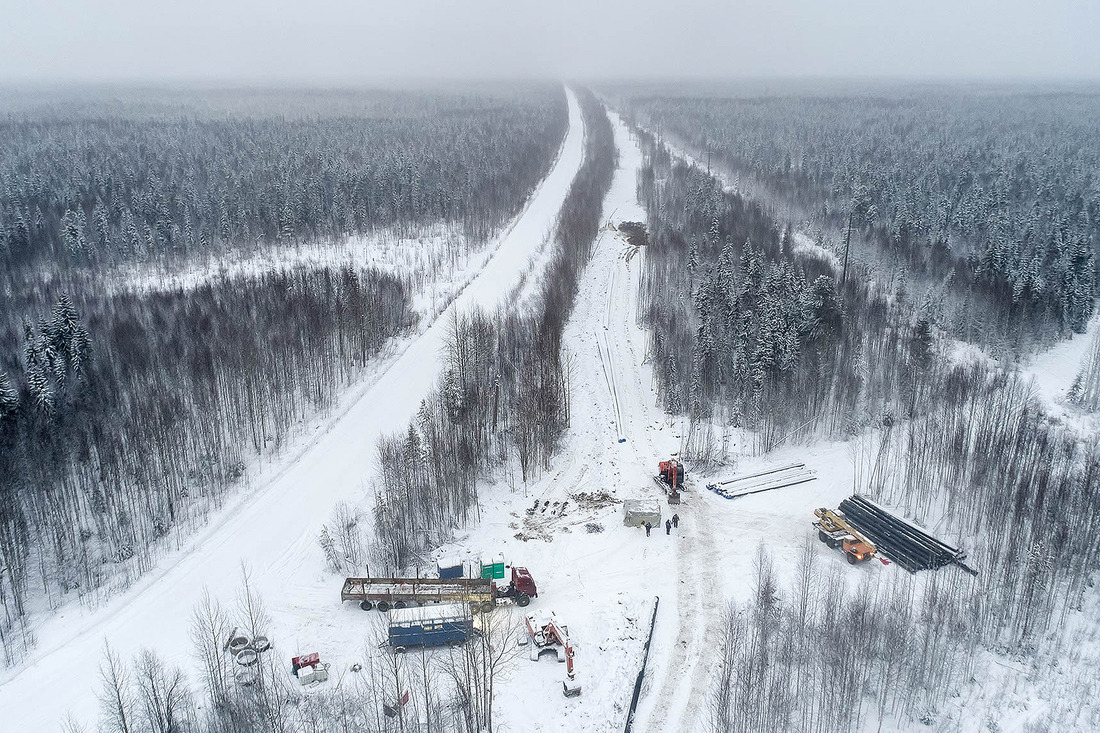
(360, 40)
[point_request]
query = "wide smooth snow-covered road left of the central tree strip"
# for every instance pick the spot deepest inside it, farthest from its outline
(274, 529)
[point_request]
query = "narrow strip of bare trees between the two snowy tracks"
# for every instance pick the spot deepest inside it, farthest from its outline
(504, 395)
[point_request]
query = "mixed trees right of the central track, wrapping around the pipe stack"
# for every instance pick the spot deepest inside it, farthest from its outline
(749, 330)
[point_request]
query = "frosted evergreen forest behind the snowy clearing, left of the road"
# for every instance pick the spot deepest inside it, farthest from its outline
(153, 174)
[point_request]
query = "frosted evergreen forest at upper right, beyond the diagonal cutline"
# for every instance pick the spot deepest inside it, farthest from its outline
(997, 192)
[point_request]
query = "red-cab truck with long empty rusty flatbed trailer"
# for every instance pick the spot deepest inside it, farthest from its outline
(481, 594)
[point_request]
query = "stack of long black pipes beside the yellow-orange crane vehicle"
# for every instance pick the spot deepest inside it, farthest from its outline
(899, 541)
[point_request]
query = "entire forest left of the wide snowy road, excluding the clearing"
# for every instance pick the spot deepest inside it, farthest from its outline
(129, 411)
